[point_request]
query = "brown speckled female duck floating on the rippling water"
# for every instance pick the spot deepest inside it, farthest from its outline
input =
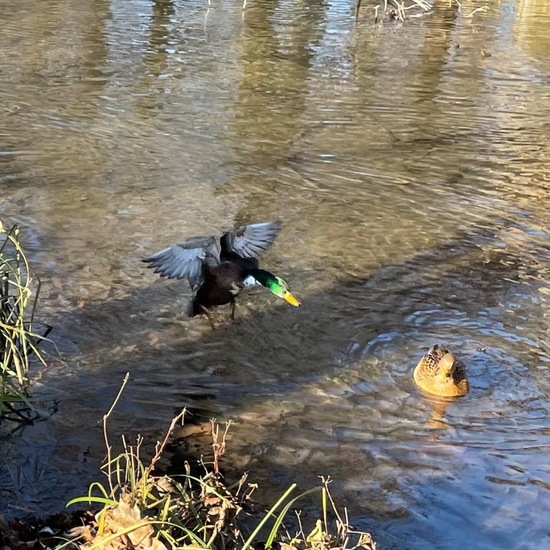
(440, 373)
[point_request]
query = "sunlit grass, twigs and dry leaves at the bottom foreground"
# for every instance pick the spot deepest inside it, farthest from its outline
(142, 510)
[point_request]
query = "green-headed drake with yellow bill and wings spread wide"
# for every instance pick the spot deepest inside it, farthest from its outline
(218, 272)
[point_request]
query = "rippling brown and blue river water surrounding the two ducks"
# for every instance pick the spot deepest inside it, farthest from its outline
(410, 172)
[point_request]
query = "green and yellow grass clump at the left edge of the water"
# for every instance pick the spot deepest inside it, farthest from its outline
(18, 344)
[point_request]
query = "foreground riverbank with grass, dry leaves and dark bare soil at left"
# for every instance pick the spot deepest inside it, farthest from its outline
(140, 506)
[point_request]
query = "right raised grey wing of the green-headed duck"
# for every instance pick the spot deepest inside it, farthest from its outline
(249, 241)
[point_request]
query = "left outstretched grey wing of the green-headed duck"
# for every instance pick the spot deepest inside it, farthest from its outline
(185, 260)
